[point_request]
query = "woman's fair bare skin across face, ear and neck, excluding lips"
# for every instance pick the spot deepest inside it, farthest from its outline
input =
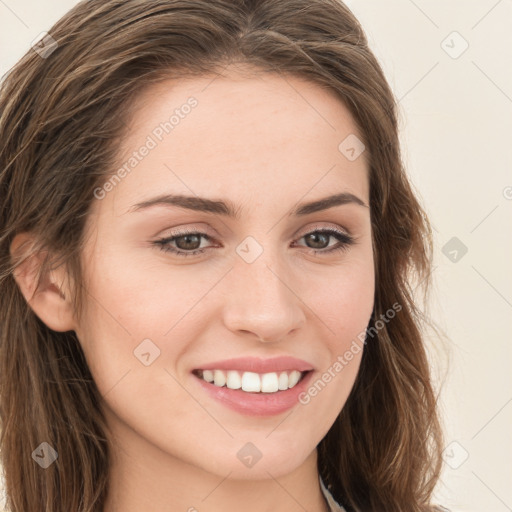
(265, 142)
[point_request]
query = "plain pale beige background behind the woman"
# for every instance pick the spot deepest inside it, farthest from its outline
(456, 119)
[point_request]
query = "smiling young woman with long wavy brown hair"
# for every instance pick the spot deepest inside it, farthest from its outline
(208, 252)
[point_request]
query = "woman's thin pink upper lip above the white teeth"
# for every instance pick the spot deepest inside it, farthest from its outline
(259, 365)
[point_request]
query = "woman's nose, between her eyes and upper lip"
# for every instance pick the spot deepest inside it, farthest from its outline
(261, 302)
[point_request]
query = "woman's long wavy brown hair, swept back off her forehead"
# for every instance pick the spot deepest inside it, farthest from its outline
(62, 115)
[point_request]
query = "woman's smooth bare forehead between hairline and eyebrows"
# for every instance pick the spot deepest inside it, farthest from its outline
(264, 135)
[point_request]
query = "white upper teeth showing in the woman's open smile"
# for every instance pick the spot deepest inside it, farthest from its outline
(252, 382)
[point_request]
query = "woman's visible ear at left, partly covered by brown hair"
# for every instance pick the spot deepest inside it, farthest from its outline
(51, 300)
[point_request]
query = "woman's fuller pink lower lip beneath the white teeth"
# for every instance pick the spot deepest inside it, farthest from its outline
(257, 404)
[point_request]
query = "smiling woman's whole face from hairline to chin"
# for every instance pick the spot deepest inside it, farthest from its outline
(250, 154)
